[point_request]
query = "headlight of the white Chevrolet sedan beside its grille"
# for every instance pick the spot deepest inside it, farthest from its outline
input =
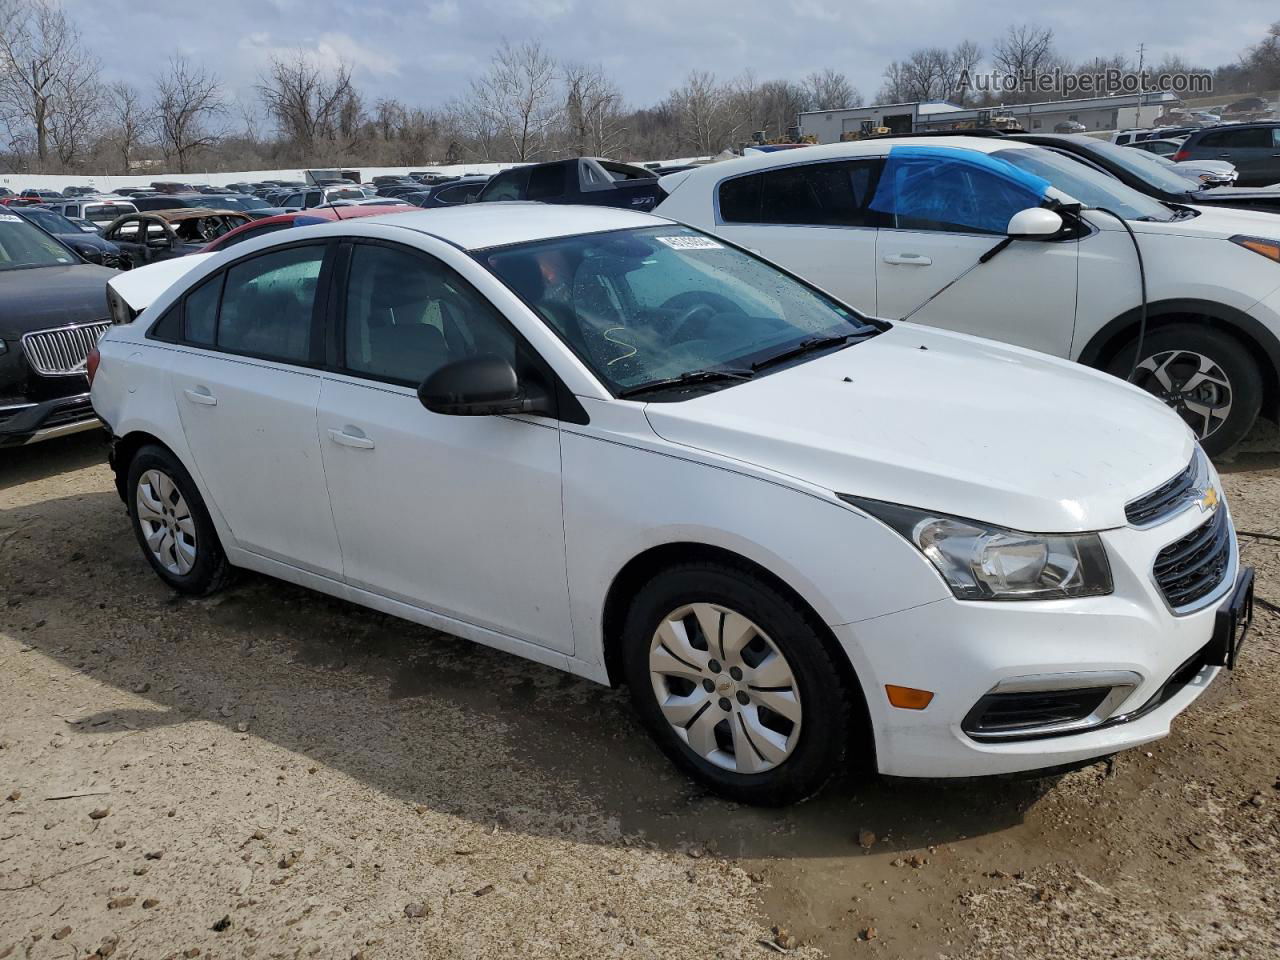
(984, 563)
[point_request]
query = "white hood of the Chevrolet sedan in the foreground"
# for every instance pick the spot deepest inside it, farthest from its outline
(948, 423)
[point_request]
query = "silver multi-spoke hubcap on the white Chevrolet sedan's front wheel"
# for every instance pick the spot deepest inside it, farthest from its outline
(725, 688)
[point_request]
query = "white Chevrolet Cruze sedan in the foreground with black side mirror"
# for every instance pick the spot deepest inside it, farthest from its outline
(638, 454)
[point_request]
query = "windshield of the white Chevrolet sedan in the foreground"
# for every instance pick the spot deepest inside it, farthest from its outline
(646, 307)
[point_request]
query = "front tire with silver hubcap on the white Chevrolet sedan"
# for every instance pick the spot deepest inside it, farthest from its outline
(784, 758)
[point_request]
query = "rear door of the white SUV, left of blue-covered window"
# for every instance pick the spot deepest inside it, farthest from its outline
(812, 220)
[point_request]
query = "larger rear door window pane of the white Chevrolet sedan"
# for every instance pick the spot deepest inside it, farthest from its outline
(268, 305)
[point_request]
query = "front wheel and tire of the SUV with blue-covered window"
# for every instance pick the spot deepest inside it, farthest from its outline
(1174, 356)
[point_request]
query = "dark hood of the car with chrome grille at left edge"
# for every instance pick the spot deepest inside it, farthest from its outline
(52, 296)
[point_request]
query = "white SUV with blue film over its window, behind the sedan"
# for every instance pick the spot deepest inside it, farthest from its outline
(886, 225)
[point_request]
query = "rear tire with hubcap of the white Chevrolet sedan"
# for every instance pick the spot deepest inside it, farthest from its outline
(166, 506)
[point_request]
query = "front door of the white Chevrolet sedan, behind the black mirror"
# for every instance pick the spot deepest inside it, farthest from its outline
(459, 515)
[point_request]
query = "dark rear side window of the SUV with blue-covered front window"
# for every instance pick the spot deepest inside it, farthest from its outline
(812, 195)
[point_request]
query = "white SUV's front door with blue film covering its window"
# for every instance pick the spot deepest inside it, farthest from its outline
(939, 216)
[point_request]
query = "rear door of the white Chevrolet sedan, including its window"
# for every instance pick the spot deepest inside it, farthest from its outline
(248, 401)
